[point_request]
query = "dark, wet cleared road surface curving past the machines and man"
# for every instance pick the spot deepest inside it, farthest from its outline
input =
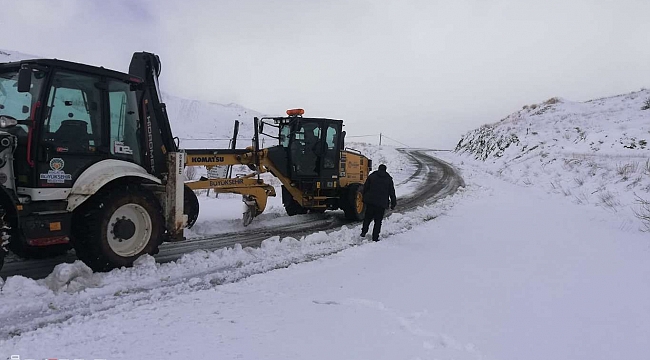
(431, 179)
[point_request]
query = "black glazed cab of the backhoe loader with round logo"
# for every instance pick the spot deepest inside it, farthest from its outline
(66, 117)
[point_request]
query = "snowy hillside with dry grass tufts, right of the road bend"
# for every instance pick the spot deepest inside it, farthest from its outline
(594, 152)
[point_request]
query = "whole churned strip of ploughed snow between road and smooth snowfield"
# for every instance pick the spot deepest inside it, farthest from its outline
(72, 292)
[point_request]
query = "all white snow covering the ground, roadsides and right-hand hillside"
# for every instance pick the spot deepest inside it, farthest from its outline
(540, 256)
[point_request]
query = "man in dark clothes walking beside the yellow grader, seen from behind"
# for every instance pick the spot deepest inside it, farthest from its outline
(377, 191)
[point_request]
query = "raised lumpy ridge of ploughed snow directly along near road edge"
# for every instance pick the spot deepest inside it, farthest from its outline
(220, 266)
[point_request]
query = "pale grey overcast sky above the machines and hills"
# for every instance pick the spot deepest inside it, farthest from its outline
(422, 72)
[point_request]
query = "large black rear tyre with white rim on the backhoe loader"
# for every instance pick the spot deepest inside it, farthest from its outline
(117, 226)
